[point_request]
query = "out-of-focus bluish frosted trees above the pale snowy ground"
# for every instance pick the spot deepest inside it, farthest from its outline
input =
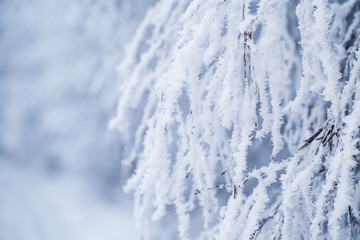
(58, 83)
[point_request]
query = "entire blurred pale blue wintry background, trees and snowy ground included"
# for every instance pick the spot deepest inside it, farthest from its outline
(60, 167)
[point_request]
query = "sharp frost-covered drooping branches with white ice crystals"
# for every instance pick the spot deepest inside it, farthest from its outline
(208, 86)
